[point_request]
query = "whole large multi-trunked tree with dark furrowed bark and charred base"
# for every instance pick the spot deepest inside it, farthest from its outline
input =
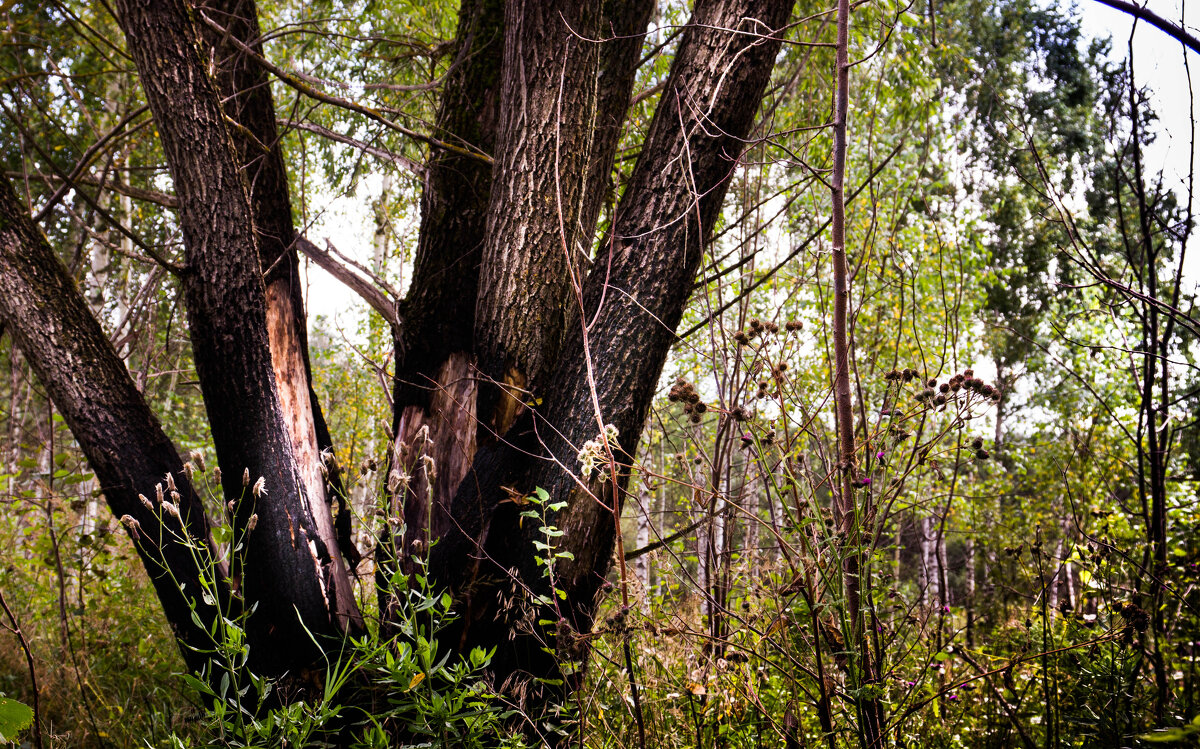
(524, 335)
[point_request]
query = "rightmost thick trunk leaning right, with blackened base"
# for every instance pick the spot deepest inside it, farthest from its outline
(633, 302)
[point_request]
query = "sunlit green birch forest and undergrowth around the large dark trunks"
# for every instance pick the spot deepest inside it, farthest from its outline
(1021, 566)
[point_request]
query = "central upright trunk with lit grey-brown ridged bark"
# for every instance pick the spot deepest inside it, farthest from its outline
(535, 245)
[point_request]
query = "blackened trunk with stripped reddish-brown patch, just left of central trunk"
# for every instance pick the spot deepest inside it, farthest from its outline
(435, 385)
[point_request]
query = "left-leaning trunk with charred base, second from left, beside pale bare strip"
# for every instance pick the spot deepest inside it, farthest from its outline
(290, 573)
